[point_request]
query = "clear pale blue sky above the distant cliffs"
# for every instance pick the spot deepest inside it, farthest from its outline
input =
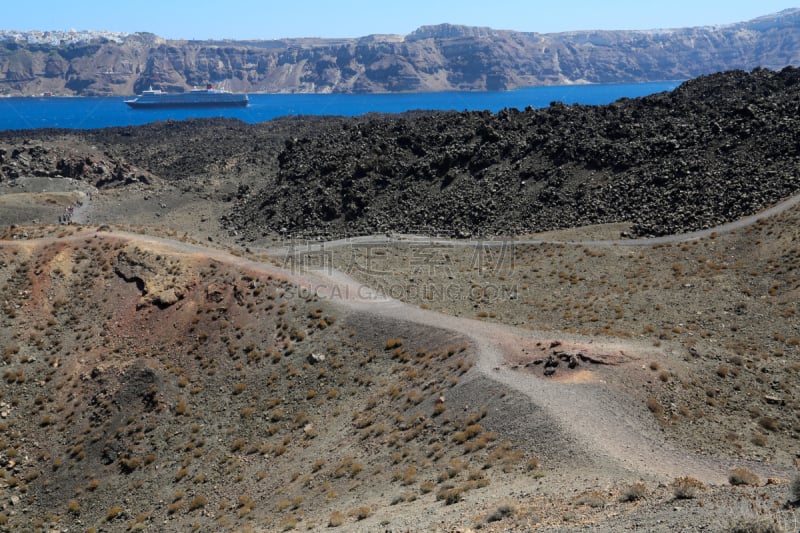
(260, 19)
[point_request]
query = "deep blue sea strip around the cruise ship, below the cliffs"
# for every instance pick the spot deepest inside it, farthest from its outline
(88, 113)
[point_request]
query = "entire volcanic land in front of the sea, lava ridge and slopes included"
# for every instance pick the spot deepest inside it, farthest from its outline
(172, 362)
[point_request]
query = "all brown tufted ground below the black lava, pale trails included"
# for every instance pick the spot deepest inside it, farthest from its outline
(159, 376)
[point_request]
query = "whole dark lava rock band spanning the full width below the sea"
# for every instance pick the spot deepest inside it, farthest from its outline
(715, 149)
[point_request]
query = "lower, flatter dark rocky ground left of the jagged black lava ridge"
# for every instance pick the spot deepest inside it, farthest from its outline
(178, 151)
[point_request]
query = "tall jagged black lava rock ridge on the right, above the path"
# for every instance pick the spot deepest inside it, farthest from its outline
(715, 149)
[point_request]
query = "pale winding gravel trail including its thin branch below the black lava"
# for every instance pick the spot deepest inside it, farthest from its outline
(601, 420)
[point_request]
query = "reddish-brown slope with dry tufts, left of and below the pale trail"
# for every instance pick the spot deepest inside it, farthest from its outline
(201, 390)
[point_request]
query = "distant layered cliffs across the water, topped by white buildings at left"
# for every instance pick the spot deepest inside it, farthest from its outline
(433, 58)
